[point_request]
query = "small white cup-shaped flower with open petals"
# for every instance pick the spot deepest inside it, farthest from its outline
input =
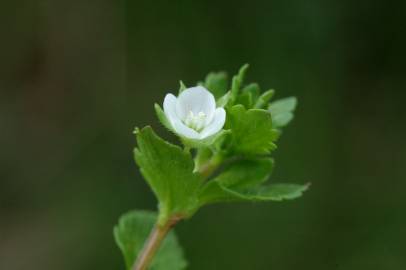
(193, 113)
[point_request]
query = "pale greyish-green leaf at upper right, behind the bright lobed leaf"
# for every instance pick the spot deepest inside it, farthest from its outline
(282, 111)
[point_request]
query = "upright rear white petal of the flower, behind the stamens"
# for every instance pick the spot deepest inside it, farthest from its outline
(196, 99)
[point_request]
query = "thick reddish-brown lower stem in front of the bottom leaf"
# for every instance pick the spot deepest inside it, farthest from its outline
(153, 243)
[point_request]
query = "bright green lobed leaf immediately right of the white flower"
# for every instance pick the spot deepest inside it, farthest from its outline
(252, 131)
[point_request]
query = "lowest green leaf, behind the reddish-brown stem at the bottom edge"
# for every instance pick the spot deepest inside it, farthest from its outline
(132, 231)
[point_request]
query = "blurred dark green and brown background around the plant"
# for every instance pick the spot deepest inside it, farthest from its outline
(77, 76)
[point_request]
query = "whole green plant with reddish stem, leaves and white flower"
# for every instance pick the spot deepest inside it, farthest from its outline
(228, 135)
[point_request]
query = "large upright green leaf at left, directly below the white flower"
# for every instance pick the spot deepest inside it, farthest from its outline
(169, 172)
